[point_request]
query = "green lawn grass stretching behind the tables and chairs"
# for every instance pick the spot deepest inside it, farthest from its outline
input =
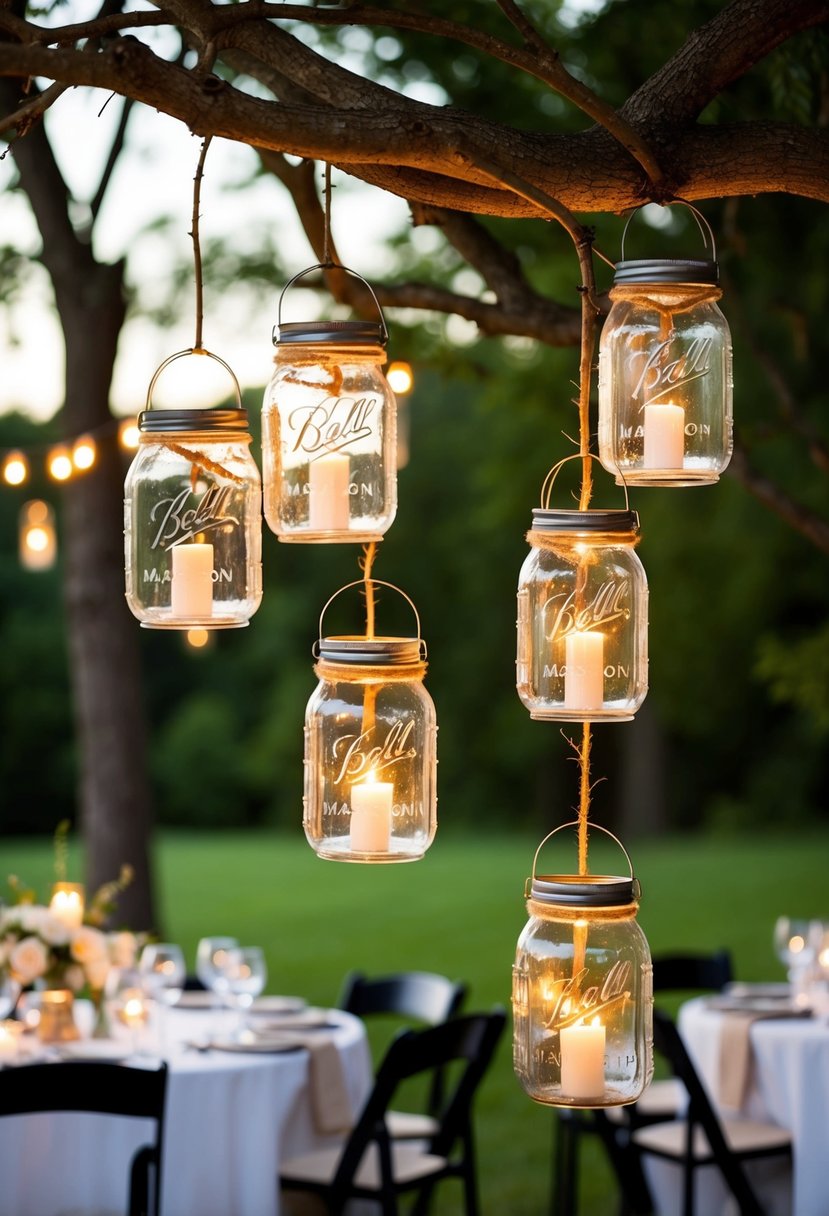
(460, 913)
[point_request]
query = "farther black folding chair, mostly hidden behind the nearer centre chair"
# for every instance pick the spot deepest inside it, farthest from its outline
(416, 997)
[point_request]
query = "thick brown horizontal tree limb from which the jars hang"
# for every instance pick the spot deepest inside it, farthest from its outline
(416, 150)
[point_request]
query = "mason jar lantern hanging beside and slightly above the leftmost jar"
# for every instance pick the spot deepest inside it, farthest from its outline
(330, 431)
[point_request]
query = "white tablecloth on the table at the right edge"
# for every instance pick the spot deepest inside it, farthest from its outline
(788, 1085)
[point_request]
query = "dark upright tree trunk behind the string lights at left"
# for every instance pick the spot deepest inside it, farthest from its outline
(106, 679)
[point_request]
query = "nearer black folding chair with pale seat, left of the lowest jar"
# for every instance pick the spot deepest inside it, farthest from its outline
(370, 1164)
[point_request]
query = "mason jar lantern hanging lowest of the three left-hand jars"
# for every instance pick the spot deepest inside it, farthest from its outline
(370, 748)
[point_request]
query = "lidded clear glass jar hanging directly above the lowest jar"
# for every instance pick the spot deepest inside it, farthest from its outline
(583, 618)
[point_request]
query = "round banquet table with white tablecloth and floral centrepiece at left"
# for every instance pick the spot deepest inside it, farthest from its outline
(230, 1119)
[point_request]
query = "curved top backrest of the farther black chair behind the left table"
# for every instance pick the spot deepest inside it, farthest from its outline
(422, 997)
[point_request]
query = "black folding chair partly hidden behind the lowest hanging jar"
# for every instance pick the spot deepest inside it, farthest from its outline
(662, 1101)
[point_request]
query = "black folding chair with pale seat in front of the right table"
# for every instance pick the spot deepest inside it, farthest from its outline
(701, 1139)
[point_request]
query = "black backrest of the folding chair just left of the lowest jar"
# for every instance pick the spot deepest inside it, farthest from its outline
(471, 1039)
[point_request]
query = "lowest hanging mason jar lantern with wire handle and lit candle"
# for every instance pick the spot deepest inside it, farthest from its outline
(583, 990)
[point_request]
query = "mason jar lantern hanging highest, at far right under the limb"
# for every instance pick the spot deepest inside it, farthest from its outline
(666, 373)
